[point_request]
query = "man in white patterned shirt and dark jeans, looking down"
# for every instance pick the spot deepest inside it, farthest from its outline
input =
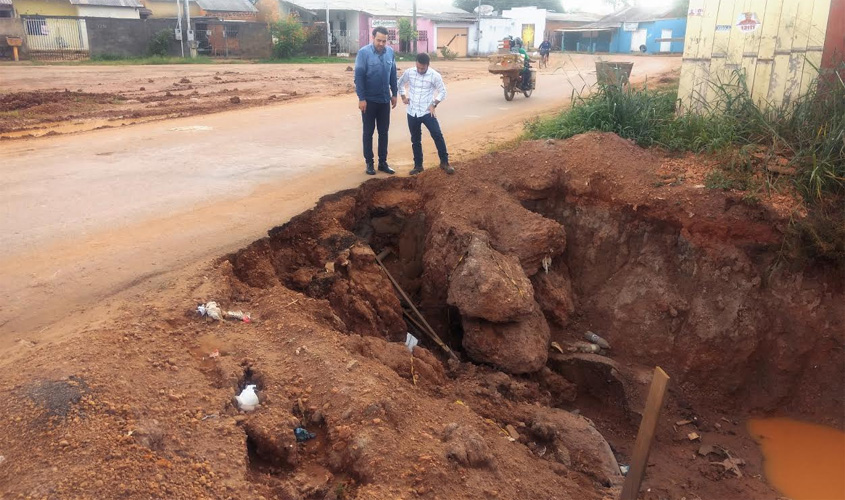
(426, 92)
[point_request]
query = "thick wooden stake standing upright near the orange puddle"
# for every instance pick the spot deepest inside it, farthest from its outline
(639, 459)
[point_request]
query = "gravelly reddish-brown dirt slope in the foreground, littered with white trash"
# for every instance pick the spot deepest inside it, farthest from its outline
(157, 420)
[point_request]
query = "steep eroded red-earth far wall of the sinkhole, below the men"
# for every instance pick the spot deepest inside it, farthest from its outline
(513, 261)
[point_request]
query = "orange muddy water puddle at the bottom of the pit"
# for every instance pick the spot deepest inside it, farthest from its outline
(803, 461)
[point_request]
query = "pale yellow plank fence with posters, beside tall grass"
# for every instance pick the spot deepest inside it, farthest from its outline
(776, 45)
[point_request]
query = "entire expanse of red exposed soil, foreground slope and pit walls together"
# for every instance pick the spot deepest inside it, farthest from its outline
(516, 250)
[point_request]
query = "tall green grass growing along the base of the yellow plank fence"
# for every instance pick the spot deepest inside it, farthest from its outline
(809, 132)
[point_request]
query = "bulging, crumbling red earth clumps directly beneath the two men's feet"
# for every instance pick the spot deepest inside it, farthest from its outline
(477, 261)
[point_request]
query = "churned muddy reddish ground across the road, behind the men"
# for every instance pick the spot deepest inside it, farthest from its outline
(95, 97)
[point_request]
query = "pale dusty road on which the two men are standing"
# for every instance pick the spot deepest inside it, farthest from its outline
(89, 215)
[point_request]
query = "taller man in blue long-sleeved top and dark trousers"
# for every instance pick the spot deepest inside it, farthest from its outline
(375, 84)
